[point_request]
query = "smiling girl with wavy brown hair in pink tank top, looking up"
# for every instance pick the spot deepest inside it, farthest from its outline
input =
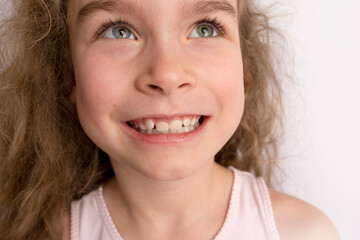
(134, 119)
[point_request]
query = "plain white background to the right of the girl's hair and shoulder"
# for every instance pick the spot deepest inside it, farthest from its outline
(321, 147)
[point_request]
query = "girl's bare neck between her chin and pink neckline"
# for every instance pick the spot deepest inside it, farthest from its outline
(169, 204)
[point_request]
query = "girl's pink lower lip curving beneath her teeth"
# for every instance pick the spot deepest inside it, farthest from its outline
(166, 138)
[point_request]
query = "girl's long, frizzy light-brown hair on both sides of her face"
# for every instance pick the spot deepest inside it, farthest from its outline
(46, 159)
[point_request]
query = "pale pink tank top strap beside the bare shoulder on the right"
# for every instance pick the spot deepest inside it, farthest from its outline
(250, 213)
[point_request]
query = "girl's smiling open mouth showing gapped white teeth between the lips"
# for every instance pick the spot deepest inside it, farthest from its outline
(166, 126)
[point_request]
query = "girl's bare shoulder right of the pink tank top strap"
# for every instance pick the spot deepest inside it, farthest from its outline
(296, 219)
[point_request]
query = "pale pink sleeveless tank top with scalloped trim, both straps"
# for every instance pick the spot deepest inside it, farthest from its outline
(249, 215)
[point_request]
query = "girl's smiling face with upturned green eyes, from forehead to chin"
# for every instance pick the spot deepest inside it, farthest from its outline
(157, 65)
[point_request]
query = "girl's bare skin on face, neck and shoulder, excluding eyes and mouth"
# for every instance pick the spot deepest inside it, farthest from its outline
(162, 190)
